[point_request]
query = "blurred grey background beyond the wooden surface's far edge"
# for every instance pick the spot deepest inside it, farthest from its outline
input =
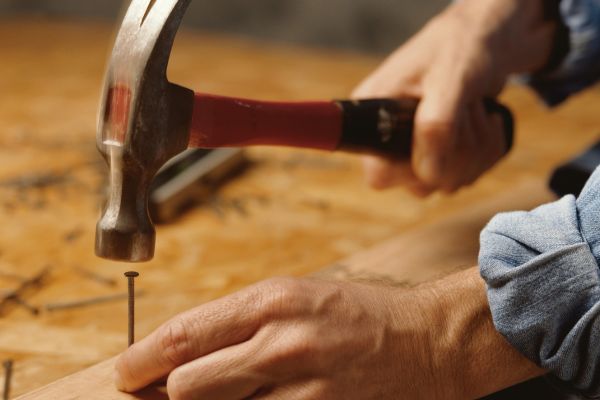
(374, 26)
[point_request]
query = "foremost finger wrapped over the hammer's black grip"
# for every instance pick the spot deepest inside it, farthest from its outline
(436, 128)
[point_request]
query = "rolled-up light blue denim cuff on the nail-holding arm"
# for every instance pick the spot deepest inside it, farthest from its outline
(542, 275)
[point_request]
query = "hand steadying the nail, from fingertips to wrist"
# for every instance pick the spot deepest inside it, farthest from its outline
(294, 339)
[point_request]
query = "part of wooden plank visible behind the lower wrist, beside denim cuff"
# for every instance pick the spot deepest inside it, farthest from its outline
(431, 251)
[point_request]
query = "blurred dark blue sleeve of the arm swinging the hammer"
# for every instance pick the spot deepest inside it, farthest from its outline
(580, 67)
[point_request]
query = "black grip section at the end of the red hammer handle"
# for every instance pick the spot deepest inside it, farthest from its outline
(385, 126)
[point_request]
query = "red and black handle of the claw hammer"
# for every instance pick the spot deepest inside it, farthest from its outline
(376, 126)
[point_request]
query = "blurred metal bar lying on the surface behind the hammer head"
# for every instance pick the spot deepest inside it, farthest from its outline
(190, 178)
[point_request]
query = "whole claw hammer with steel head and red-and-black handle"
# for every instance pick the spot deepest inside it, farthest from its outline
(145, 120)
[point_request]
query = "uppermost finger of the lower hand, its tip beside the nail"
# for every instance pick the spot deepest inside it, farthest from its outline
(225, 322)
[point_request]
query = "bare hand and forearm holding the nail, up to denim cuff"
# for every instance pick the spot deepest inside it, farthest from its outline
(312, 339)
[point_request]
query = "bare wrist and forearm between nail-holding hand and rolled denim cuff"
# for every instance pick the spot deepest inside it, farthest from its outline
(473, 358)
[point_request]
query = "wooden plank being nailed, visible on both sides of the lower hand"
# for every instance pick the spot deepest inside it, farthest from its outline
(420, 255)
